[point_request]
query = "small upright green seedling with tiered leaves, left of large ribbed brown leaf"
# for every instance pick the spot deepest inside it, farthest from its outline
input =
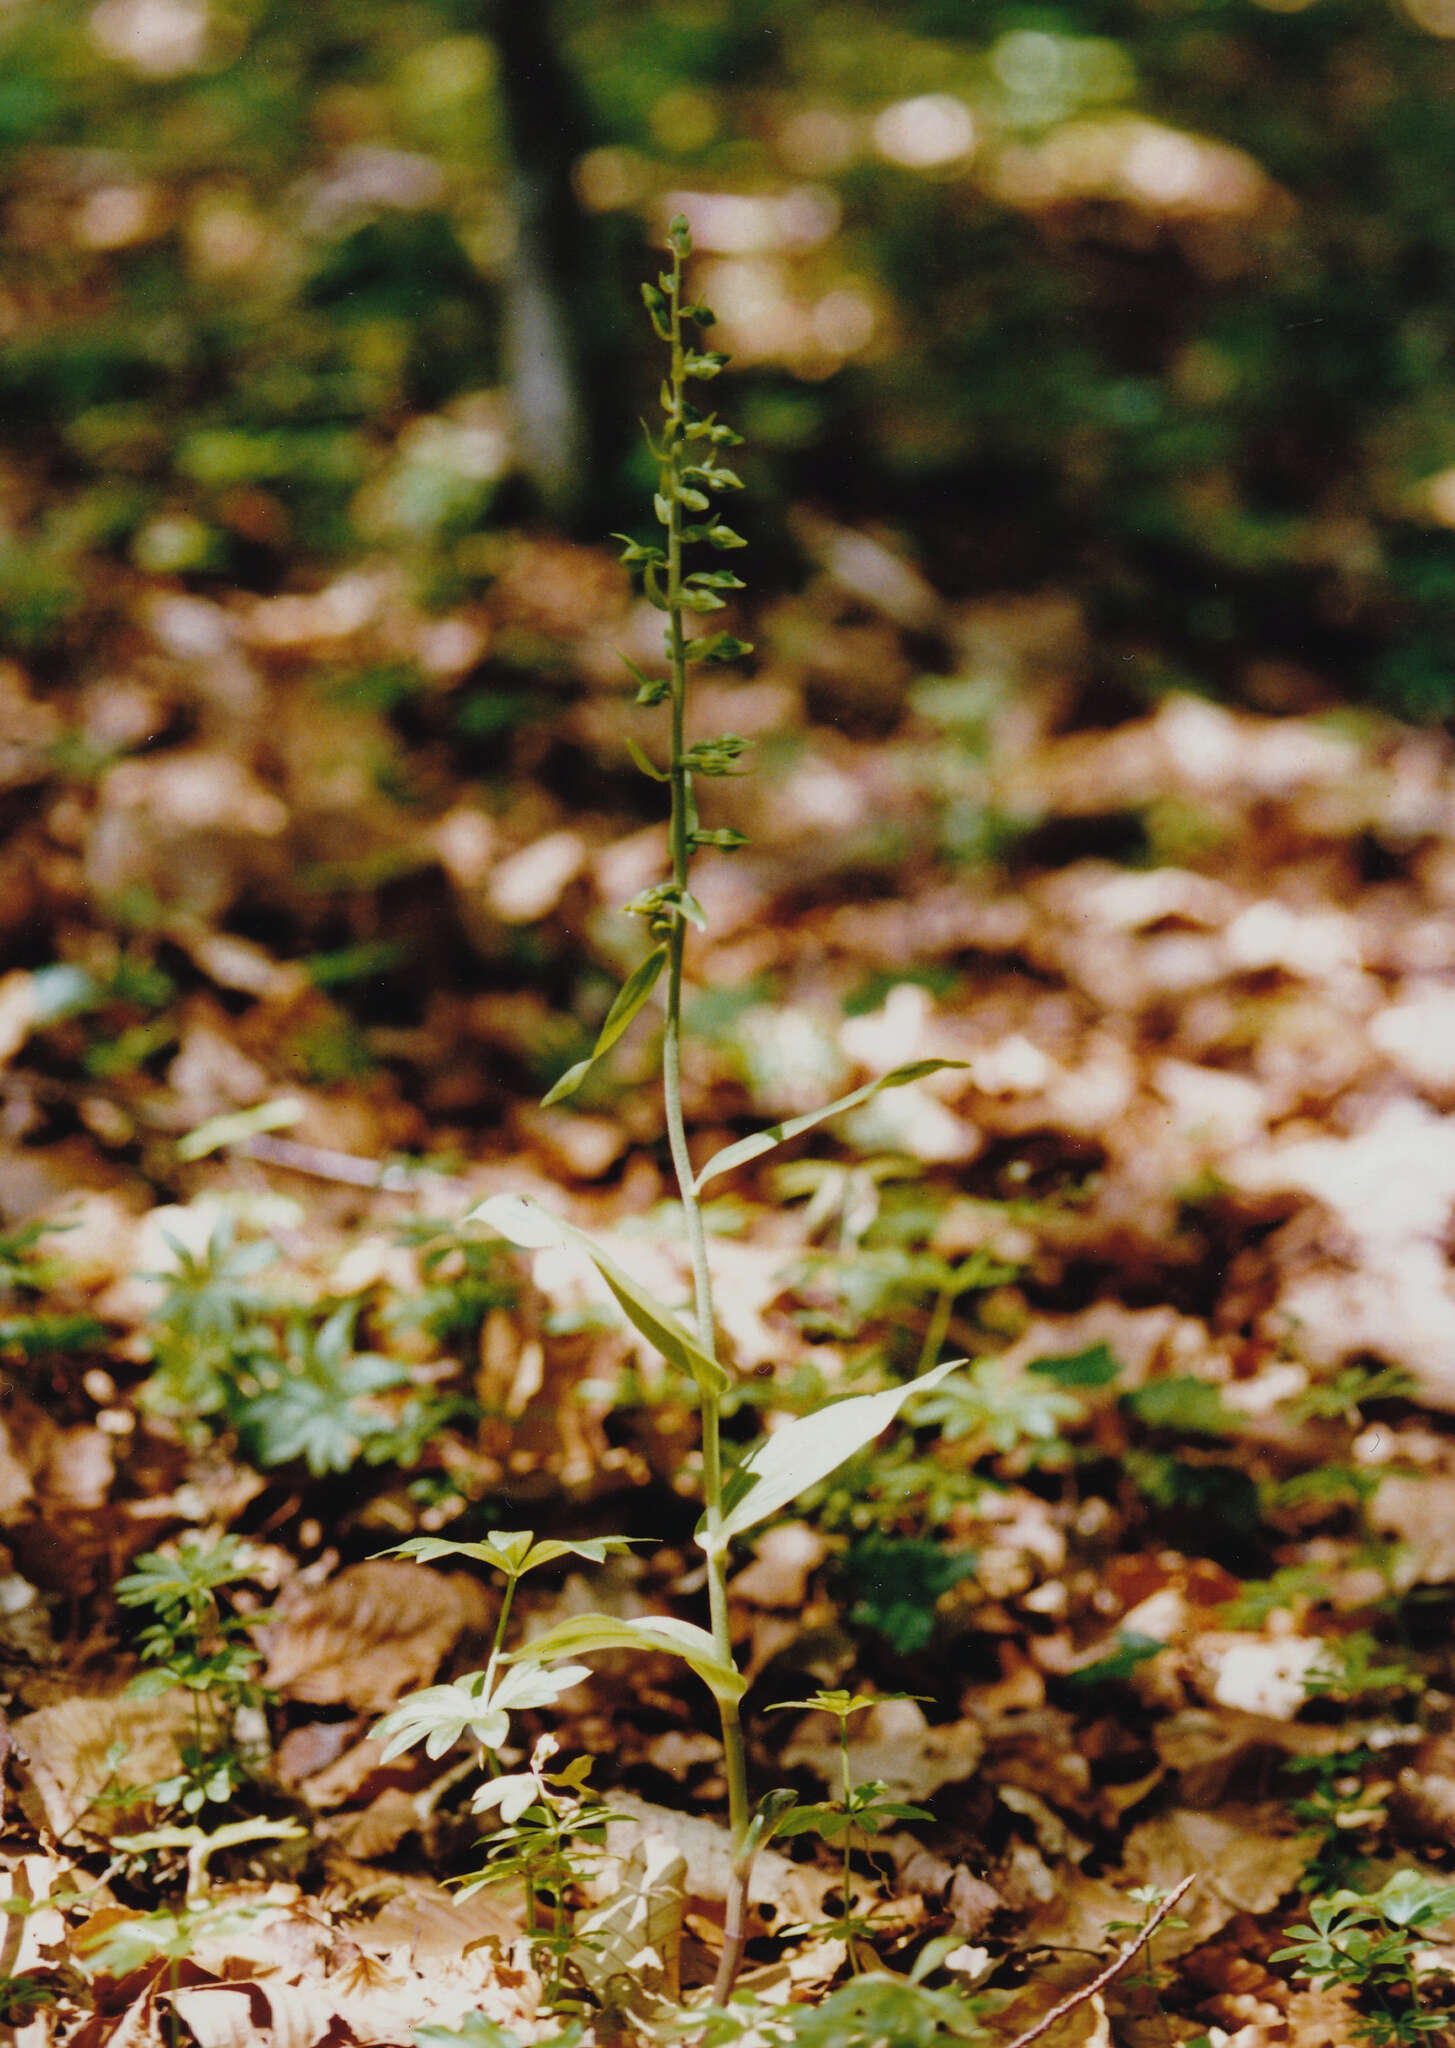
(202, 1650)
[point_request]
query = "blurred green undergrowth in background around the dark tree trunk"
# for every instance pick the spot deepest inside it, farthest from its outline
(1147, 300)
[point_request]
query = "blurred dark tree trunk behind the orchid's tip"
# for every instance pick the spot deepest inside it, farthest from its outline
(560, 327)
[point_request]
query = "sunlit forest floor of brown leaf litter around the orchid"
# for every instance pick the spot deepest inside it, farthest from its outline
(313, 900)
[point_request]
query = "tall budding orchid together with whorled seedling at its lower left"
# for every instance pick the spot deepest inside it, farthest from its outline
(798, 1455)
